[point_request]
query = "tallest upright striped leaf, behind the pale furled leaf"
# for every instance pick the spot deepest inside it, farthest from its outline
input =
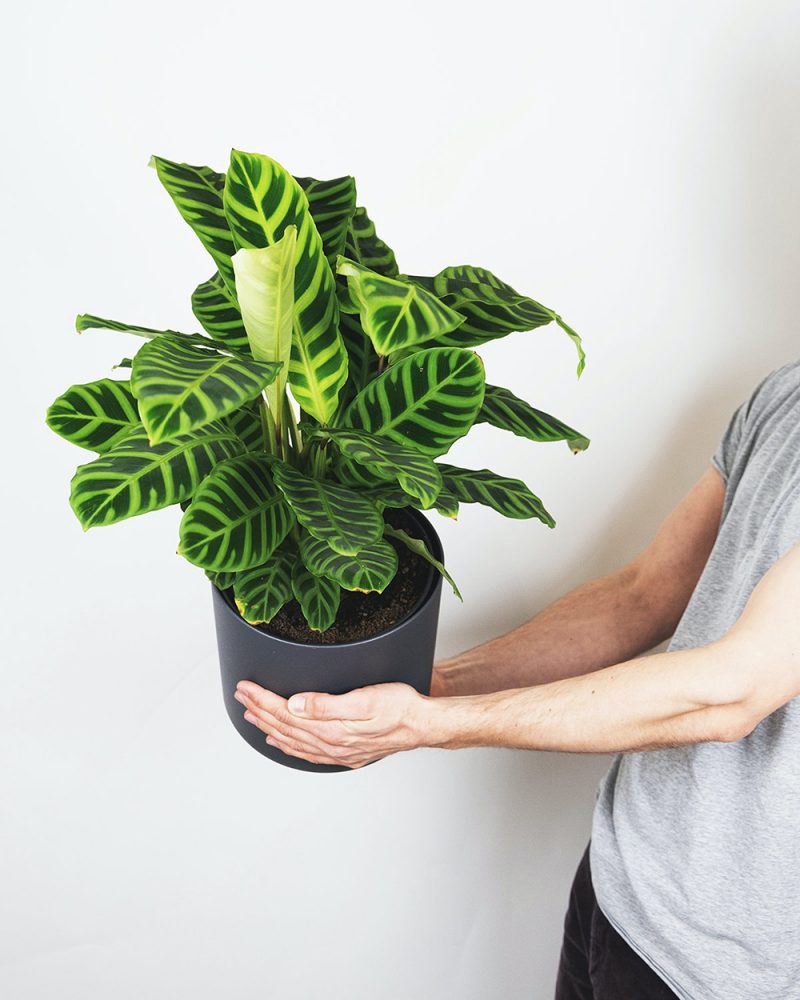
(261, 199)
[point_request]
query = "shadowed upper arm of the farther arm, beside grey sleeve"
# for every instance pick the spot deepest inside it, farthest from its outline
(668, 569)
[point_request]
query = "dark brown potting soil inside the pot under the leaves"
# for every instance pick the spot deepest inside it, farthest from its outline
(362, 616)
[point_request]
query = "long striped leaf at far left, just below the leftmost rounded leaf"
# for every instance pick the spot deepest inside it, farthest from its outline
(135, 477)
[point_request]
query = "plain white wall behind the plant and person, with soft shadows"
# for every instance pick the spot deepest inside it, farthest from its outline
(634, 166)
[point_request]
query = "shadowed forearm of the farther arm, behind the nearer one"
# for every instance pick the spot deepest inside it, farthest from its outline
(602, 622)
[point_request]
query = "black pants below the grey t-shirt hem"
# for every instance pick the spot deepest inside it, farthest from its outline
(596, 963)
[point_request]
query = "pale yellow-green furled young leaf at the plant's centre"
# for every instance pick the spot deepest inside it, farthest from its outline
(265, 288)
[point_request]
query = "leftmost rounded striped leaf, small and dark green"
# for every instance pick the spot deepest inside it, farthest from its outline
(95, 415)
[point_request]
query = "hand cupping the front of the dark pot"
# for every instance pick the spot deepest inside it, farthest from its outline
(350, 729)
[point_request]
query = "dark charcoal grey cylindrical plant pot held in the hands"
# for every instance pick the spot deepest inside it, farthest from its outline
(404, 652)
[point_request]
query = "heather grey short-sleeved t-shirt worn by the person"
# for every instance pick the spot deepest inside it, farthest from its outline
(695, 850)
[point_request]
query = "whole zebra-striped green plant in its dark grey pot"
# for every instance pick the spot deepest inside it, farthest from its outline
(300, 432)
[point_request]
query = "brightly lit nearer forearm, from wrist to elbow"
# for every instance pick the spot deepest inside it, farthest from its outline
(669, 699)
